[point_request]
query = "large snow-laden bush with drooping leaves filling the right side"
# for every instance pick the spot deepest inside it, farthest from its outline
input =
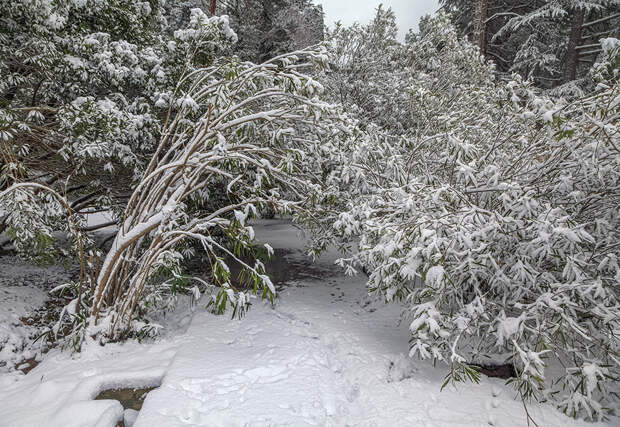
(496, 220)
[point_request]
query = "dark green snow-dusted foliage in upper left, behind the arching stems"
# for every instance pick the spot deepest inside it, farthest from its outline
(85, 88)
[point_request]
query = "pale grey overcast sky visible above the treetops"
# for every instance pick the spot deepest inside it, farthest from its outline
(408, 12)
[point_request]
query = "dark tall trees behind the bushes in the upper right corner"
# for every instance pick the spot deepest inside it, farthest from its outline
(550, 41)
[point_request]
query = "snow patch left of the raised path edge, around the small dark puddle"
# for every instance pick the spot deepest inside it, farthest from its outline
(60, 391)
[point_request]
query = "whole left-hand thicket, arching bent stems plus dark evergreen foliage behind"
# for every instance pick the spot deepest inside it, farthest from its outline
(153, 122)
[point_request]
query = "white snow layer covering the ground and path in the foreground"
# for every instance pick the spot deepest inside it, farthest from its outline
(326, 355)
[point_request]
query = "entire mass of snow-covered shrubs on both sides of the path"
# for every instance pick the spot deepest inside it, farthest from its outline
(485, 205)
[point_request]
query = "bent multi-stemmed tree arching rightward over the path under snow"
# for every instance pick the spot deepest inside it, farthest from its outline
(249, 133)
